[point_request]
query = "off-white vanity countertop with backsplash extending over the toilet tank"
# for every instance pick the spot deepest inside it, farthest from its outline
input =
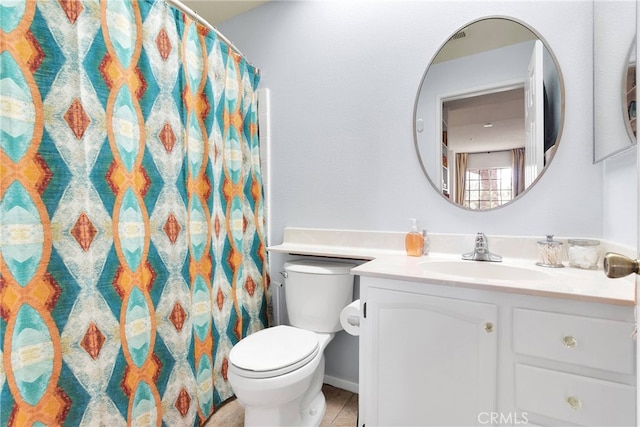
(385, 258)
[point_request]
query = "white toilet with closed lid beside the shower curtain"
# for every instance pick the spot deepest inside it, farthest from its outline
(277, 373)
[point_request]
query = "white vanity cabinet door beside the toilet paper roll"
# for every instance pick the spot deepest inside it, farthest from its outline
(428, 361)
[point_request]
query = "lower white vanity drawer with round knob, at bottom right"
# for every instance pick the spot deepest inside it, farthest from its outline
(573, 398)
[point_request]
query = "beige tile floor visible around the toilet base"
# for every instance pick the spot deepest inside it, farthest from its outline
(342, 410)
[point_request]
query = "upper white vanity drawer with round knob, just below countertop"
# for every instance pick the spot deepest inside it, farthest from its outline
(586, 341)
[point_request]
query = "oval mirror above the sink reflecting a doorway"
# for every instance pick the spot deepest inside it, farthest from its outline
(488, 114)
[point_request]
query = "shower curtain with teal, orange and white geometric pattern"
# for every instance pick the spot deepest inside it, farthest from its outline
(132, 251)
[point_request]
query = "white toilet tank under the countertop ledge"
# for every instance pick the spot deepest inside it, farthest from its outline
(316, 291)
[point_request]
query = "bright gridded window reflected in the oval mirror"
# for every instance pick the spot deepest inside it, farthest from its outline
(487, 188)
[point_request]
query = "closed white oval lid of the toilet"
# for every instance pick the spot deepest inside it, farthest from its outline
(273, 351)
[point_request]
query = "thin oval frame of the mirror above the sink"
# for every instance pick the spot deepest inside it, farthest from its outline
(560, 124)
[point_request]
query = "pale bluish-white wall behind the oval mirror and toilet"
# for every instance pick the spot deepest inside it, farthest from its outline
(343, 77)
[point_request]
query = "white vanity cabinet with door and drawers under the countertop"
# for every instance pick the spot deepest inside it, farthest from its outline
(444, 355)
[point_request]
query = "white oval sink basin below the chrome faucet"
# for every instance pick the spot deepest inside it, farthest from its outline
(483, 270)
